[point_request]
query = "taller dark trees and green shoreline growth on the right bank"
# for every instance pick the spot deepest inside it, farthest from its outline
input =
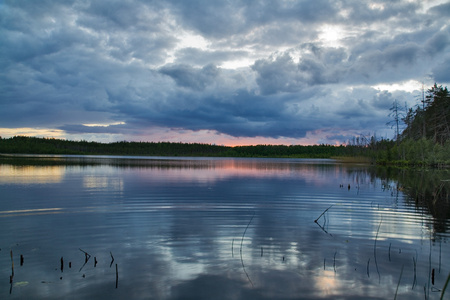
(425, 139)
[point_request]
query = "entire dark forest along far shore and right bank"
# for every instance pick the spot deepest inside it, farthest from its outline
(425, 140)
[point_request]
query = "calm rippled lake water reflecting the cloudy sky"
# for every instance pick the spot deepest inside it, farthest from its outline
(186, 228)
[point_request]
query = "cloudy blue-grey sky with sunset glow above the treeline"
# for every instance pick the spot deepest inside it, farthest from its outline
(218, 72)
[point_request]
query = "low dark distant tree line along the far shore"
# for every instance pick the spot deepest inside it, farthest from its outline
(34, 145)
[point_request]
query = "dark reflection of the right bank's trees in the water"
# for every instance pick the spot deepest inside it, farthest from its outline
(428, 190)
